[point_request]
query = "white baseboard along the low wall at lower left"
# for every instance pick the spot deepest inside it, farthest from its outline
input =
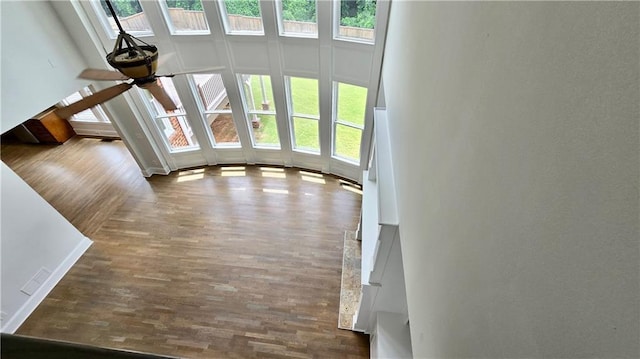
(13, 323)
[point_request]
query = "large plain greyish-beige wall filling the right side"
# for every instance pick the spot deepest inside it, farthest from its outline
(516, 155)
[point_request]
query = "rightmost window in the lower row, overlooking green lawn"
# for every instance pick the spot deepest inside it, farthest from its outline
(349, 110)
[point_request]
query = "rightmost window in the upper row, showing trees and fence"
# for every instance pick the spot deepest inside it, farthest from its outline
(357, 19)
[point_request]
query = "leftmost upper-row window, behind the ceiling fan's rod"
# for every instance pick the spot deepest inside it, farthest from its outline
(130, 15)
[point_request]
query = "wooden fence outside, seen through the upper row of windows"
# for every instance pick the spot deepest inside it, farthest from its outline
(187, 20)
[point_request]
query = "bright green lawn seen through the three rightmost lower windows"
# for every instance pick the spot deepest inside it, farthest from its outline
(304, 92)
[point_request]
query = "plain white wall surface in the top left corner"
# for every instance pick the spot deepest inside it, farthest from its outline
(39, 62)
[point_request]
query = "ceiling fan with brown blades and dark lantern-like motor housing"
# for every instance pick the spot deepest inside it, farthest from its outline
(134, 60)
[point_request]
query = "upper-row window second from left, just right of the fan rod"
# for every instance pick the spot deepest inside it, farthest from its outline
(185, 17)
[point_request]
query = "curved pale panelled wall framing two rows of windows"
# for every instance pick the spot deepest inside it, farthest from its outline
(325, 58)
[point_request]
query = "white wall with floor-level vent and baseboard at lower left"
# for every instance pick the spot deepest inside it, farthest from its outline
(33, 236)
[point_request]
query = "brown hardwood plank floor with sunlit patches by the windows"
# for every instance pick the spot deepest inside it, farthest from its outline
(217, 262)
